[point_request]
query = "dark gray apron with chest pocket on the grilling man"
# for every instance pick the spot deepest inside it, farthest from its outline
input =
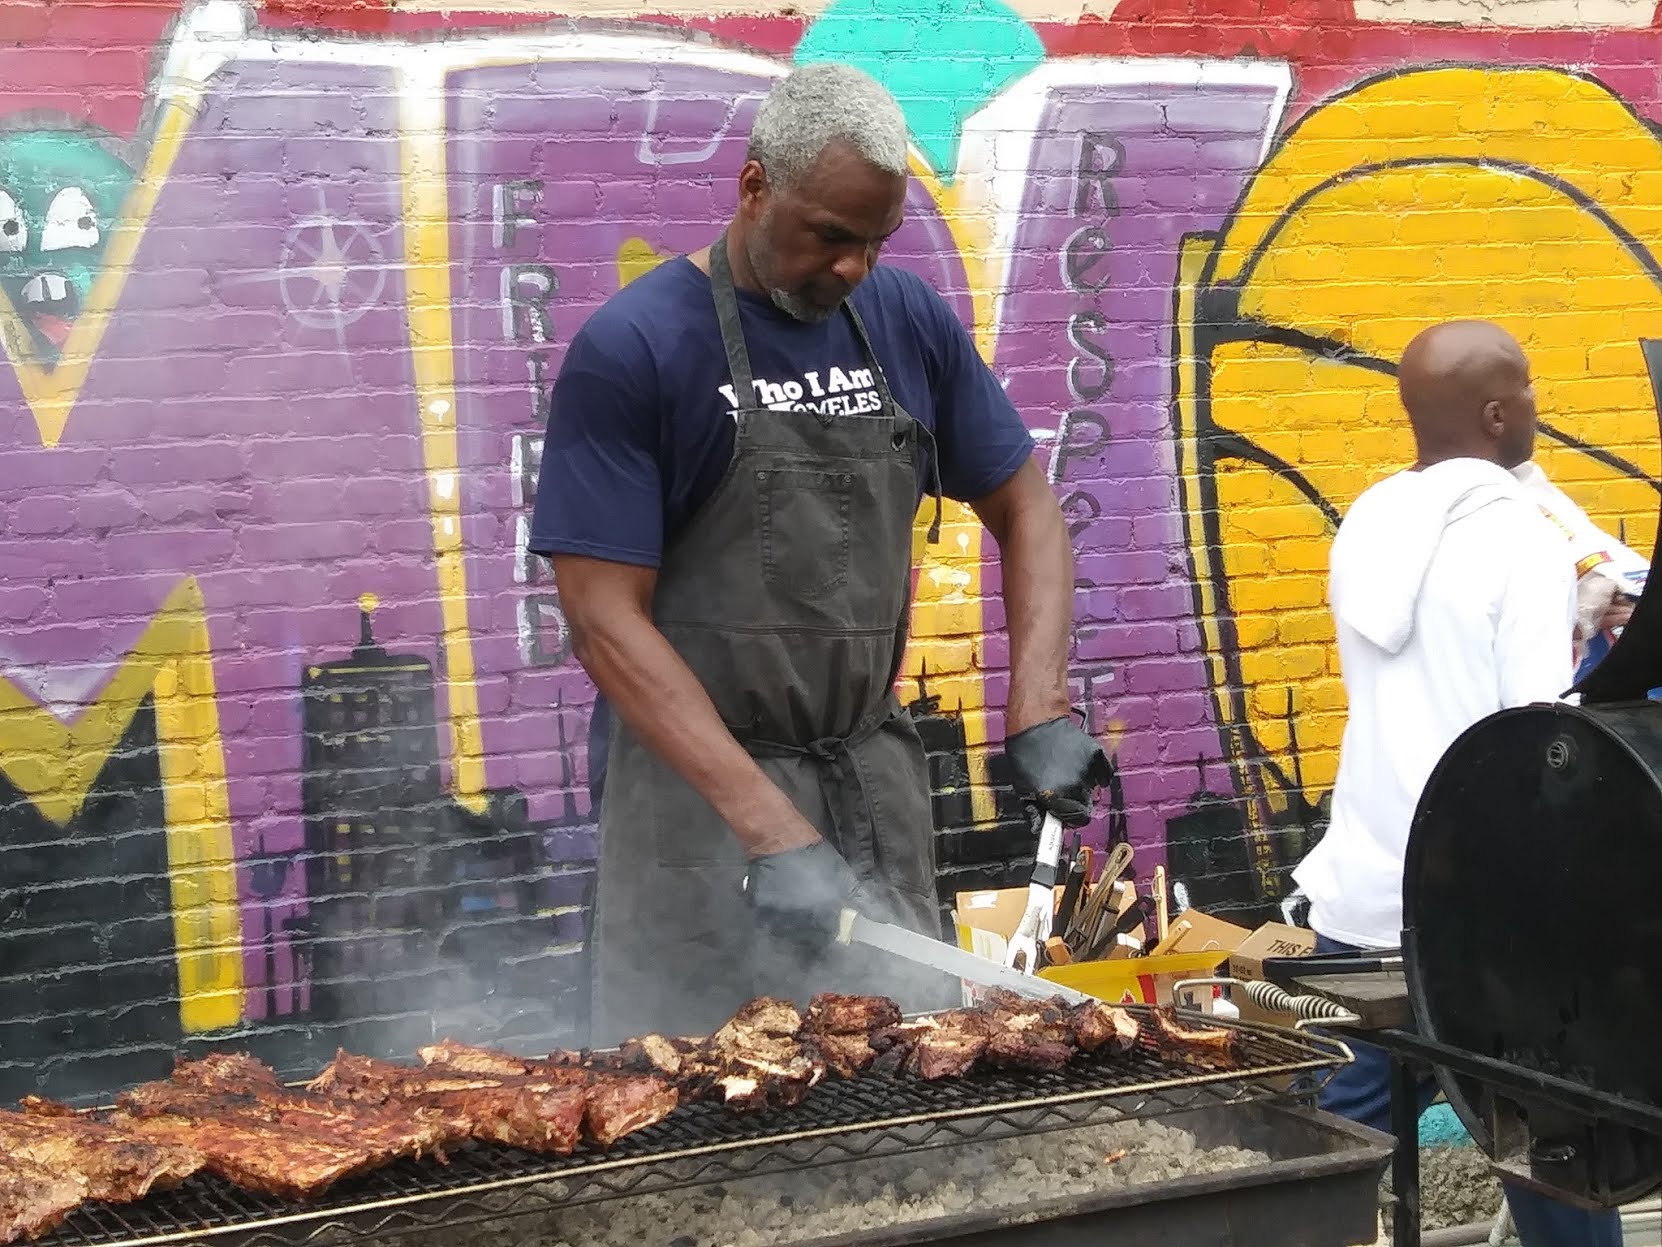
(789, 596)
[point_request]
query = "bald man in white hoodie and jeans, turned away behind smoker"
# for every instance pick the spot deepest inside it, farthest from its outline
(1453, 596)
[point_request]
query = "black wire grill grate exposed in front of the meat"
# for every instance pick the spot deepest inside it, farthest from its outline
(875, 1115)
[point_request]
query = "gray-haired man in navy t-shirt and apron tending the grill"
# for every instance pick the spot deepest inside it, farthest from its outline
(735, 569)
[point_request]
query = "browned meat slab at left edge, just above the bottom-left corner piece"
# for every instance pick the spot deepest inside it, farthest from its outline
(117, 1168)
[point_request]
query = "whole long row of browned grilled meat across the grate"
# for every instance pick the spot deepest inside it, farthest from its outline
(230, 1115)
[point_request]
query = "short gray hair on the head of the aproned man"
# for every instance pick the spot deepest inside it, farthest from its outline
(819, 106)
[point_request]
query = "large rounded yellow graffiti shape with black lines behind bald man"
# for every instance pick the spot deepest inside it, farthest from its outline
(1289, 362)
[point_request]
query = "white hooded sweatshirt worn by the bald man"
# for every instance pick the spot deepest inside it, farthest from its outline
(1453, 599)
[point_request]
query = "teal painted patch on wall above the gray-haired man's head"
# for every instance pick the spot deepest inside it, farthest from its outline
(943, 61)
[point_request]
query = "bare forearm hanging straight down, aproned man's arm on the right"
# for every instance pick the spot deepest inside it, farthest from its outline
(1038, 568)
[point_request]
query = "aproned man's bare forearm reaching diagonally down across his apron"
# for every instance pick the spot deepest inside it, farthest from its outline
(662, 702)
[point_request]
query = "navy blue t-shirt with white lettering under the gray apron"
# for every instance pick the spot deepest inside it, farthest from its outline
(642, 410)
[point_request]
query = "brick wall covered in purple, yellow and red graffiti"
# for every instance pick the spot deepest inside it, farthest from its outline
(292, 741)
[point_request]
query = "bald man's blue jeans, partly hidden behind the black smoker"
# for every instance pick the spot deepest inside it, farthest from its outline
(1362, 1093)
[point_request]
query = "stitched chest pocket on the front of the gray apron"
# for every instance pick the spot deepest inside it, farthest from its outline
(804, 520)
